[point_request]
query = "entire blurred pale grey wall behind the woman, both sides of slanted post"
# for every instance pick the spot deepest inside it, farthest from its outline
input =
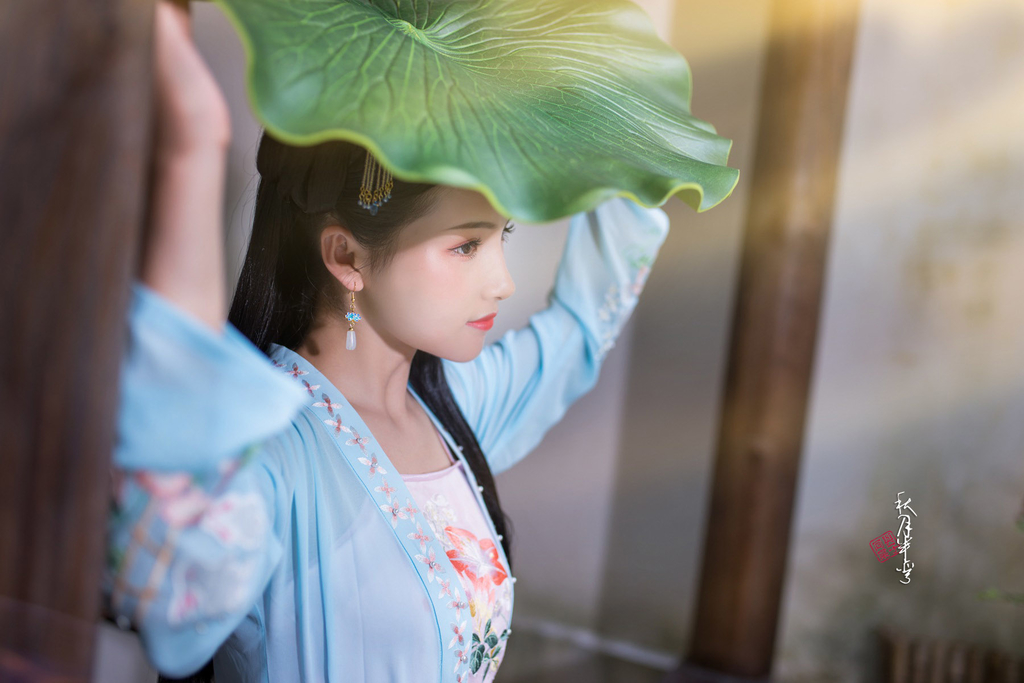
(920, 378)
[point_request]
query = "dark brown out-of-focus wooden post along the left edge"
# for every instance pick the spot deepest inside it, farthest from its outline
(75, 129)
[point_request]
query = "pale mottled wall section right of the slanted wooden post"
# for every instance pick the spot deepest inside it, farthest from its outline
(920, 385)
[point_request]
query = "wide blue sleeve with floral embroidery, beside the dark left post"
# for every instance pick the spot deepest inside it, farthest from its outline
(200, 482)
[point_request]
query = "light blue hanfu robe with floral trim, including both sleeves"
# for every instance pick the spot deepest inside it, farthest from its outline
(250, 522)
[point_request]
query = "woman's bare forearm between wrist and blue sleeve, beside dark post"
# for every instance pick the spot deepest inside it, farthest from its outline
(184, 261)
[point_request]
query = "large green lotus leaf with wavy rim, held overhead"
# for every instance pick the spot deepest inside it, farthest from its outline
(546, 107)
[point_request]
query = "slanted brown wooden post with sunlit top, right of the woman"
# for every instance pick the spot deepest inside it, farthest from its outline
(772, 356)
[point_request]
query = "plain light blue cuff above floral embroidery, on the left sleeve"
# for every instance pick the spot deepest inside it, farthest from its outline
(190, 397)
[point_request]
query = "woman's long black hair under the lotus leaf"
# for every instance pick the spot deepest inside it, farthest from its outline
(284, 280)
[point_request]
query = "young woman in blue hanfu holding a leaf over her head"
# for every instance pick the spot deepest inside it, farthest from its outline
(302, 510)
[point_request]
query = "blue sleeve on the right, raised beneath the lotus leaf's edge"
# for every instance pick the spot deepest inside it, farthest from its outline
(521, 386)
